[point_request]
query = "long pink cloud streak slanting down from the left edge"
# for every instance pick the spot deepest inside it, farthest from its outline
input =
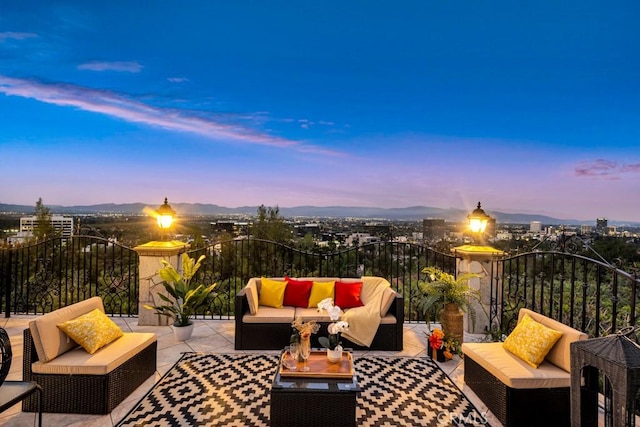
(111, 104)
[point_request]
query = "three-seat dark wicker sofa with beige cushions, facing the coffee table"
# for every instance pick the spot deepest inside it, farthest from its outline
(260, 327)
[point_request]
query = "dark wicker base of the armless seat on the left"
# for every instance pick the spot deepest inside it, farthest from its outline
(86, 394)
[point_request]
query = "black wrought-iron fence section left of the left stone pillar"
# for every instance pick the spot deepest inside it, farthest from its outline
(47, 275)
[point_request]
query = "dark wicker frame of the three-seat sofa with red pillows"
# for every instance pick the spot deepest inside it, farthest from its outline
(275, 336)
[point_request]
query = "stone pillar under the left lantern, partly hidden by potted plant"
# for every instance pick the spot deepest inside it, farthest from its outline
(150, 283)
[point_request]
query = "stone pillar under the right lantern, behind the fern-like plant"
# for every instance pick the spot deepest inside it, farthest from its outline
(479, 260)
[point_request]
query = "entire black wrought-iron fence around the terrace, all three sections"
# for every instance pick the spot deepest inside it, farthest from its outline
(588, 294)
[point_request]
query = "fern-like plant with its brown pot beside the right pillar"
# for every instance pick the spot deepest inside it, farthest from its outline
(451, 293)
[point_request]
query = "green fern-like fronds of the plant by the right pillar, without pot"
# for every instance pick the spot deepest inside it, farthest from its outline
(442, 288)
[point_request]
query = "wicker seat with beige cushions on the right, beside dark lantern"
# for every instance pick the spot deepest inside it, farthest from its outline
(514, 391)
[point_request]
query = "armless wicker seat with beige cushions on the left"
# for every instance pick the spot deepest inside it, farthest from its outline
(72, 379)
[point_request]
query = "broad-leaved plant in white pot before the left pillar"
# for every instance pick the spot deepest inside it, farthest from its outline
(187, 296)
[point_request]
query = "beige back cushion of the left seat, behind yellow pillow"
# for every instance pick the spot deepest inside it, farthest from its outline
(49, 341)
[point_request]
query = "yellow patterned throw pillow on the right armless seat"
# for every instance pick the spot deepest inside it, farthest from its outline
(531, 341)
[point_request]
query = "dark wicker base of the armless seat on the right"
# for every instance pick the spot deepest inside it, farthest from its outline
(518, 407)
